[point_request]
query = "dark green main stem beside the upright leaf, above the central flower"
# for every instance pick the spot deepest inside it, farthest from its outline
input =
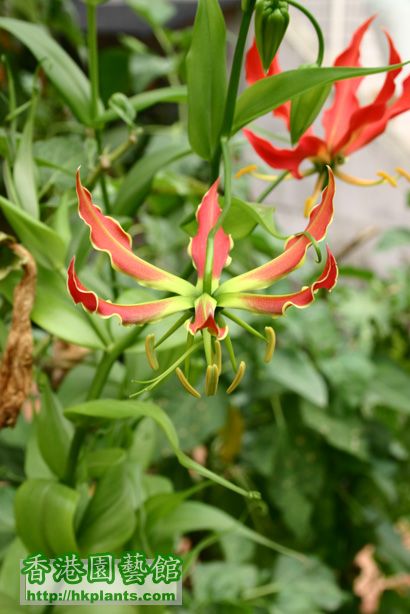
(233, 84)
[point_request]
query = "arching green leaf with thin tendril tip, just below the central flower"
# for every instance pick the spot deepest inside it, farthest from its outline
(107, 409)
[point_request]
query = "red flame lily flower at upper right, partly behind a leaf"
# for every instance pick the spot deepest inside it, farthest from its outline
(347, 125)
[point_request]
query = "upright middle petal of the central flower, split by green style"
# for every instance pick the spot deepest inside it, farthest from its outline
(207, 215)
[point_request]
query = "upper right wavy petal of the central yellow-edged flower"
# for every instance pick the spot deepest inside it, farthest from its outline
(294, 253)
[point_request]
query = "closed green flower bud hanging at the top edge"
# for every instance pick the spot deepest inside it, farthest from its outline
(271, 22)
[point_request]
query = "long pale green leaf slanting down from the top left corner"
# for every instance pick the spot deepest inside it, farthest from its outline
(62, 71)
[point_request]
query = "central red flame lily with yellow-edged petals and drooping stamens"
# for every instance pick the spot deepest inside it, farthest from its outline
(202, 312)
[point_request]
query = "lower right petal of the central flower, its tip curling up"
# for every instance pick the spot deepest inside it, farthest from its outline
(276, 305)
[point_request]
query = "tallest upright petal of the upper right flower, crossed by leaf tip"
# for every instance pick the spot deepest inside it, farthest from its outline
(336, 119)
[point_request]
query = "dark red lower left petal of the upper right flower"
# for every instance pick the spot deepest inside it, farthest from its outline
(288, 159)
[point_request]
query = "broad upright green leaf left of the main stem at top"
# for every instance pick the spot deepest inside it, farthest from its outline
(206, 78)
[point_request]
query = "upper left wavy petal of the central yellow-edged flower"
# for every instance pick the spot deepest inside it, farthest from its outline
(107, 235)
